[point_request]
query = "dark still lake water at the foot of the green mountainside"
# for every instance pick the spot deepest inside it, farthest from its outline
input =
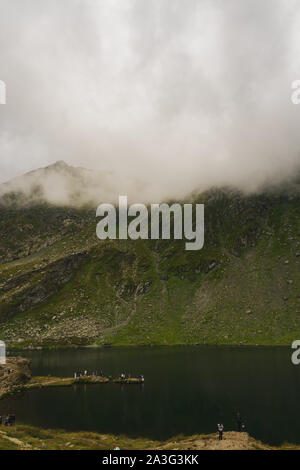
(187, 390)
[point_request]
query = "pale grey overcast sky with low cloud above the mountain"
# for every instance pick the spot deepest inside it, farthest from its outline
(178, 93)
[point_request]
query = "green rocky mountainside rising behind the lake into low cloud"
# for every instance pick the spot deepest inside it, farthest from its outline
(60, 285)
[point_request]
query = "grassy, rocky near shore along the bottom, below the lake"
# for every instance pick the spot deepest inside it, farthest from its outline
(30, 438)
